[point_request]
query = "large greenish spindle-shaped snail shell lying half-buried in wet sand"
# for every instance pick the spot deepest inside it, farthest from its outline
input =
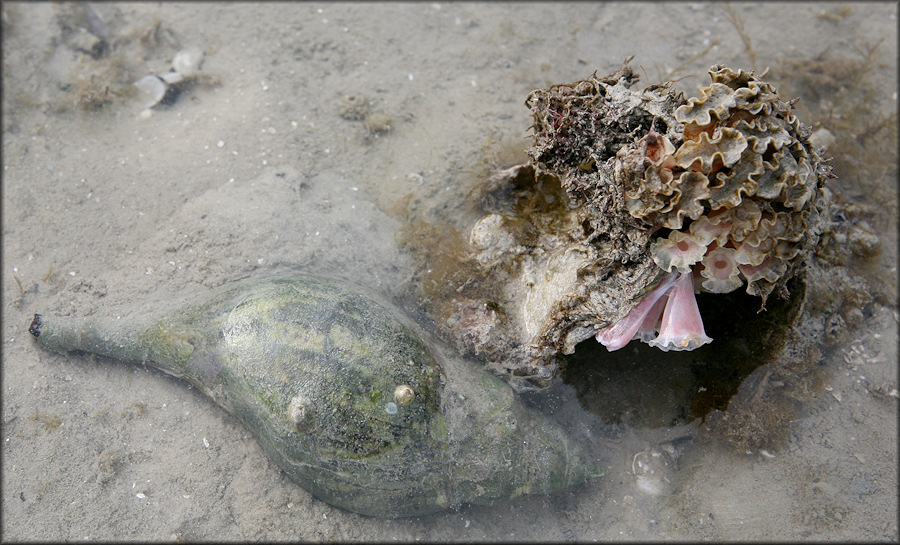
(344, 395)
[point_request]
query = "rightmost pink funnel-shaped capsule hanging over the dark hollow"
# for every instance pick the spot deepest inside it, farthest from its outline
(681, 327)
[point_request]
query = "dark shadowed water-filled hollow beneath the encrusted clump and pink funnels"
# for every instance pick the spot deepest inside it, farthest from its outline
(644, 387)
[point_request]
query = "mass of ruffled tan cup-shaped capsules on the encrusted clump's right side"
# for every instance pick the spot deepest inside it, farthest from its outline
(750, 177)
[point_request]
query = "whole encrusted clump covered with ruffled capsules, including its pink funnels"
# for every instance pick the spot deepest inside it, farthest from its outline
(633, 201)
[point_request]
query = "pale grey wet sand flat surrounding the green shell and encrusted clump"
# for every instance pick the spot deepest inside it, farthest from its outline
(265, 166)
